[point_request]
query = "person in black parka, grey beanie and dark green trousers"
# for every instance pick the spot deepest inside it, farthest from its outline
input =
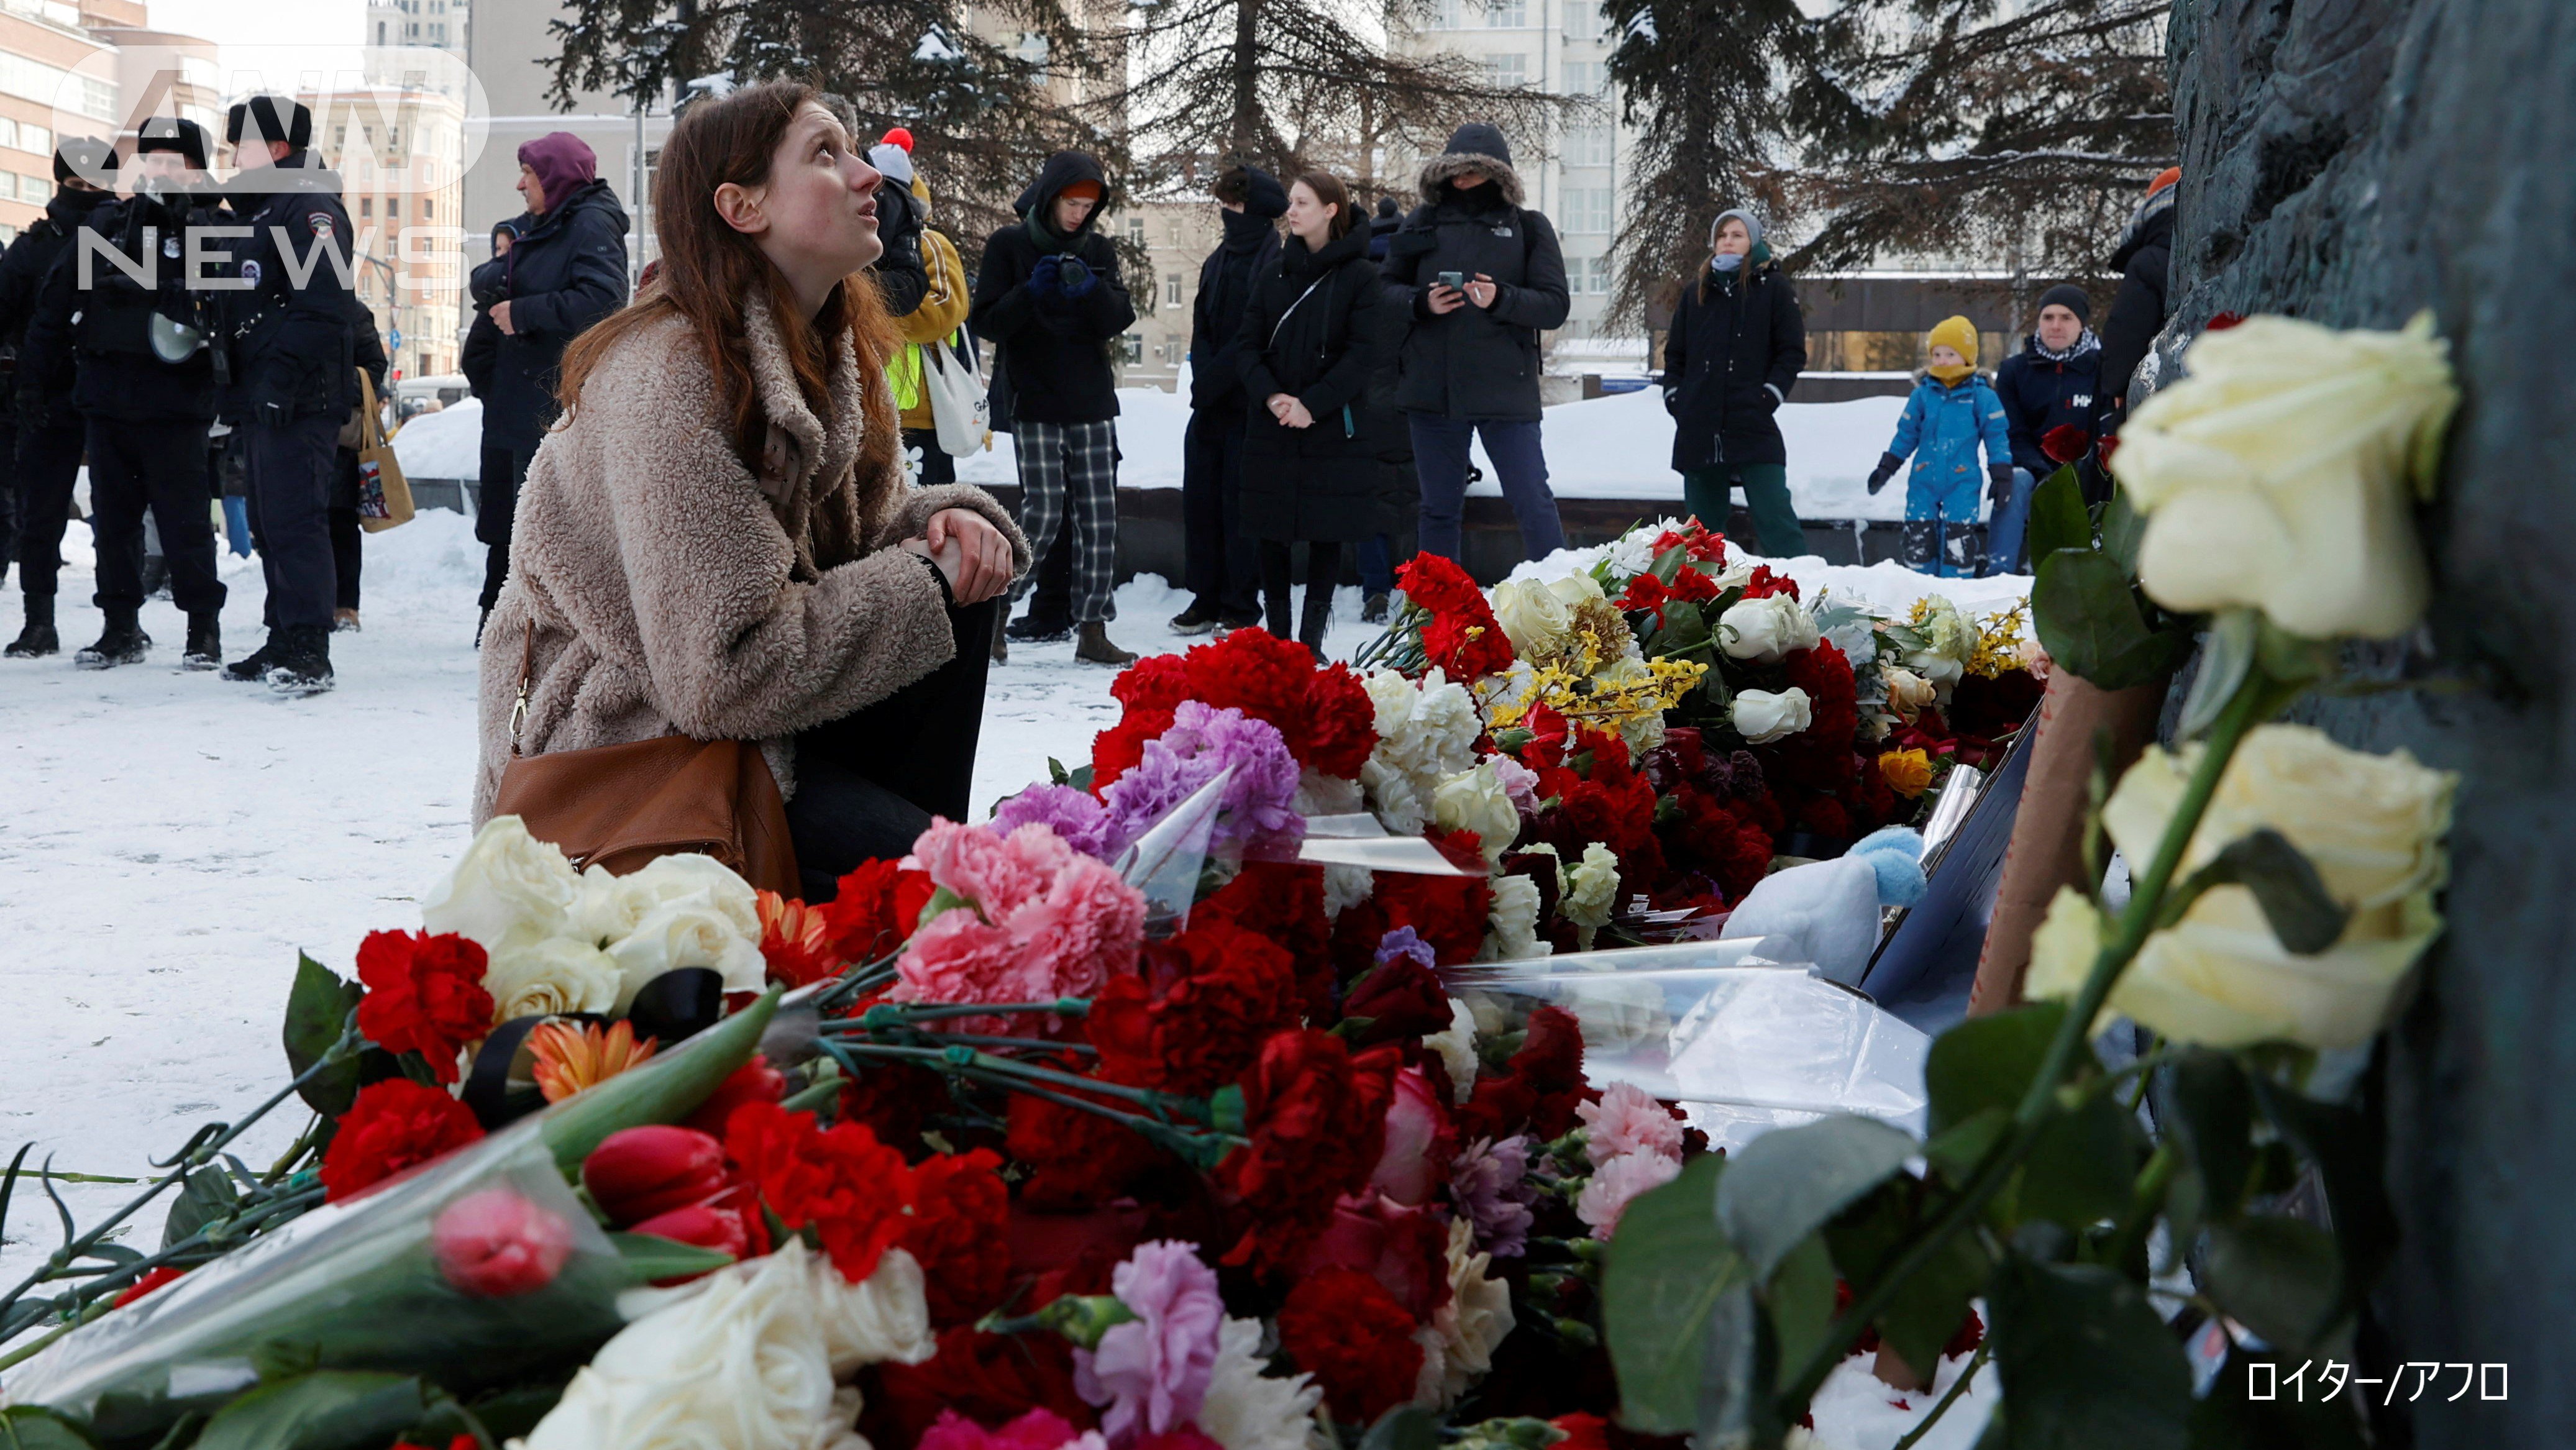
(1732, 357)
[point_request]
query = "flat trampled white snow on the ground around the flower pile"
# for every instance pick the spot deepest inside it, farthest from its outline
(171, 843)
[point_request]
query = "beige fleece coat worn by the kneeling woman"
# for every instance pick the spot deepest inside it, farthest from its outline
(676, 591)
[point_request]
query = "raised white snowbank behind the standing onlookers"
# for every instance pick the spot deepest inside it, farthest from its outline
(1601, 449)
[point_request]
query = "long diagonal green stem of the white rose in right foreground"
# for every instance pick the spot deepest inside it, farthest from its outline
(2041, 1101)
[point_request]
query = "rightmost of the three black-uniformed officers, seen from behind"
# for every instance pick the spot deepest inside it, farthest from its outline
(292, 377)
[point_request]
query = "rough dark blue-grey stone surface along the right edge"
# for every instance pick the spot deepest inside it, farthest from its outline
(2356, 161)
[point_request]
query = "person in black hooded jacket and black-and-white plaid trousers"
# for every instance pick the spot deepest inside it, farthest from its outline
(1052, 303)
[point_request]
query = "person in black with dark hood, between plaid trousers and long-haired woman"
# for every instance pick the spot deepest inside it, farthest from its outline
(1222, 568)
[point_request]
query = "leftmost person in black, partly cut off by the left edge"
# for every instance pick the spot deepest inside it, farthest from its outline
(50, 431)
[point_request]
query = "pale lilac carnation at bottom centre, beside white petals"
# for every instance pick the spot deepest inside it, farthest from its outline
(1153, 1374)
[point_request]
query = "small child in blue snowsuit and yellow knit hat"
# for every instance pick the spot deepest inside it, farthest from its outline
(1949, 416)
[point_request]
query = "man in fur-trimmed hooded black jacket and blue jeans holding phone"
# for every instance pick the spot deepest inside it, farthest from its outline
(1480, 279)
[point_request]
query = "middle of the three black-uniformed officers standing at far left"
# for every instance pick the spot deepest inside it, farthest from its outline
(122, 313)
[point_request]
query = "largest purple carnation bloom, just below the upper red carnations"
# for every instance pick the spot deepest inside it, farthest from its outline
(1258, 805)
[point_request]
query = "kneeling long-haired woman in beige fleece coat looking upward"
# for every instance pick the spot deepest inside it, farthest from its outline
(720, 540)
